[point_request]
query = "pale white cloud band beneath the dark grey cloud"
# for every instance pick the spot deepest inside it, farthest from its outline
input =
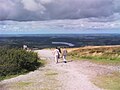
(62, 25)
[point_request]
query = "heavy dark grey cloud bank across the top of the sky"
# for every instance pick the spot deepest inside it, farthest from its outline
(58, 9)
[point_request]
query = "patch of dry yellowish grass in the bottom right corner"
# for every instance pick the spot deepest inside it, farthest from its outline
(108, 82)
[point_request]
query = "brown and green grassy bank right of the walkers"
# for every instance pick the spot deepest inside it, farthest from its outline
(102, 54)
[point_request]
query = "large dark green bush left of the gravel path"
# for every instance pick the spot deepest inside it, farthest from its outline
(17, 61)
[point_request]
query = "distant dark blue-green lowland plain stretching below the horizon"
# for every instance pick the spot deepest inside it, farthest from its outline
(45, 41)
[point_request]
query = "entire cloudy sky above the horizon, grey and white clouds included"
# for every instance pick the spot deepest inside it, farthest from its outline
(59, 16)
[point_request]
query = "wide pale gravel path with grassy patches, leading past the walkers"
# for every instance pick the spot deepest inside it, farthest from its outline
(74, 75)
